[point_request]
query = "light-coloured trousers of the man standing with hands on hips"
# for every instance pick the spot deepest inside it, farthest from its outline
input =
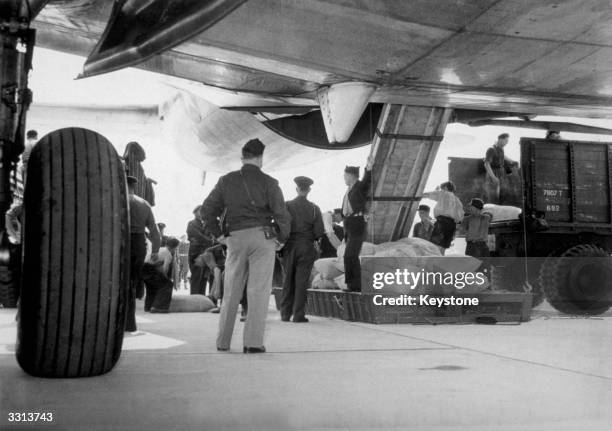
(250, 262)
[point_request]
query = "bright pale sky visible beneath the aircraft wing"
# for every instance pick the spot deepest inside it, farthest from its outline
(181, 184)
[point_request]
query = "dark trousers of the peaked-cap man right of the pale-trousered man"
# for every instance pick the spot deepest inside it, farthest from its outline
(298, 259)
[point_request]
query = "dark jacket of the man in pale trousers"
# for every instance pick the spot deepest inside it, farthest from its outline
(231, 196)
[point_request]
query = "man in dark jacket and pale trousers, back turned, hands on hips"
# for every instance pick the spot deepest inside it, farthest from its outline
(251, 201)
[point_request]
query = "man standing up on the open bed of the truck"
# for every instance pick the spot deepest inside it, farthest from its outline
(497, 166)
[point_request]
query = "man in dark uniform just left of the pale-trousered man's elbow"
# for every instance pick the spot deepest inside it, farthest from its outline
(199, 241)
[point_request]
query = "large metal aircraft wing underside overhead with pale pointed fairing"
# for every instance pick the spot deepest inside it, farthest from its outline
(515, 56)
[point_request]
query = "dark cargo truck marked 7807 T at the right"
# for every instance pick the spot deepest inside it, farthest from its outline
(560, 245)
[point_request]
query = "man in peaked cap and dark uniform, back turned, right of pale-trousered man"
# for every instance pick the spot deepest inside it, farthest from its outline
(299, 252)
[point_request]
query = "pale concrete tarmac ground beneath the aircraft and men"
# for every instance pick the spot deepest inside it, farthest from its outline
(551, 373)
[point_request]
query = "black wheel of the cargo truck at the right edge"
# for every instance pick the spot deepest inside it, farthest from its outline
(578, 286)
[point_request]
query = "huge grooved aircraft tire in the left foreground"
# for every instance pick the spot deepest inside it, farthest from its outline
(75, 257)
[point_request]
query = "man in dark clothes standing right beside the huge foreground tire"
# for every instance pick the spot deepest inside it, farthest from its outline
(141, 218)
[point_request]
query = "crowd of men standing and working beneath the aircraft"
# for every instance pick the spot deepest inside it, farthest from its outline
(245, 223)
